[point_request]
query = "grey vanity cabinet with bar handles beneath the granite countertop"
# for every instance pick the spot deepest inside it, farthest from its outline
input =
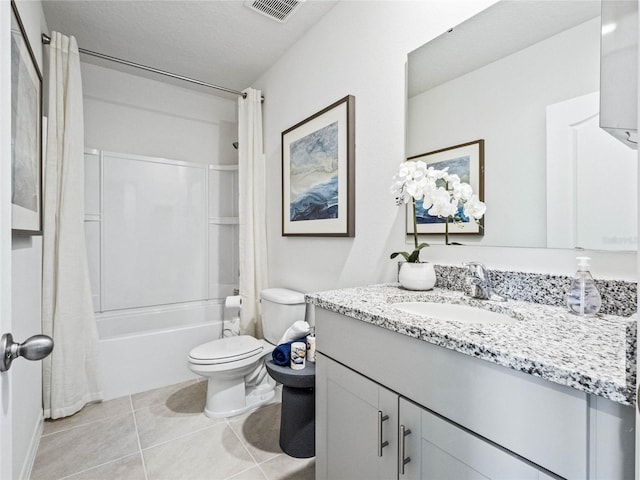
(468, 418)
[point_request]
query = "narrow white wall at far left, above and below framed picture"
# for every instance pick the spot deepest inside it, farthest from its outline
(26, 276)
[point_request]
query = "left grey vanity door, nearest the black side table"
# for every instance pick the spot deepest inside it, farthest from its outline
(348, 440)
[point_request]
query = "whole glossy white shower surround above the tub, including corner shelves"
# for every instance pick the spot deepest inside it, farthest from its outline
(159, 232)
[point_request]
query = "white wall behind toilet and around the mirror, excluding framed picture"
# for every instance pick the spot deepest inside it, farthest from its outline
(360, 48)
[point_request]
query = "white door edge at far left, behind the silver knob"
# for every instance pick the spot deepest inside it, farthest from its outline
(5, 234)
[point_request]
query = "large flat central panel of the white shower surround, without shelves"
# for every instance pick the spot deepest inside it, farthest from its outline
(154, 231)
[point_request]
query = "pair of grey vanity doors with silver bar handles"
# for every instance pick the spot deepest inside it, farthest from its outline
(373, 433)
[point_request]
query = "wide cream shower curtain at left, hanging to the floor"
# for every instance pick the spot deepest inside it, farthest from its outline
(71, 372)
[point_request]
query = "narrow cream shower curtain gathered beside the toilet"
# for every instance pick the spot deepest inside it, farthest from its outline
(252, 211)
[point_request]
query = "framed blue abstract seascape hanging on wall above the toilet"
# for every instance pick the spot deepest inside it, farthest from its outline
(318, 173)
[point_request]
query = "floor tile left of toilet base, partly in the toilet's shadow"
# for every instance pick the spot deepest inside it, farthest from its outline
(180, 414)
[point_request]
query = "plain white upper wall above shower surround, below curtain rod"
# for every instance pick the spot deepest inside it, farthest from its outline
(131, 114)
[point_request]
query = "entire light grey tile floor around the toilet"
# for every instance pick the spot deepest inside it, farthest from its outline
(163, 434)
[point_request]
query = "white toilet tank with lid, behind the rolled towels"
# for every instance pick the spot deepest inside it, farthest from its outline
(281, 308)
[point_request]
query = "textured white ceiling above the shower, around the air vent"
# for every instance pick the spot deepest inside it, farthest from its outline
(222, 42)
